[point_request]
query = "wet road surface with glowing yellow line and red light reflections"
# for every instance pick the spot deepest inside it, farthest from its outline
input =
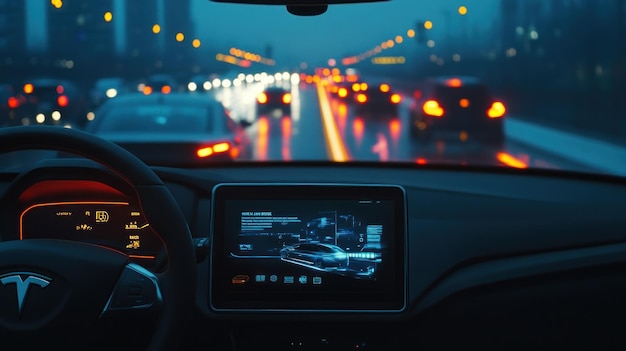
(322, 127)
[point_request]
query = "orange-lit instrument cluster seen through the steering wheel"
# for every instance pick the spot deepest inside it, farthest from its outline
(93, 207)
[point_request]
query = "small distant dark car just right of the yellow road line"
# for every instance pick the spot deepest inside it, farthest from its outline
(375, 100)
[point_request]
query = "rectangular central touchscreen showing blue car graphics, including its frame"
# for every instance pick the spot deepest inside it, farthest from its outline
(308, 247)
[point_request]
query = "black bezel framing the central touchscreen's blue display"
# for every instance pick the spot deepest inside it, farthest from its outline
(394, 299)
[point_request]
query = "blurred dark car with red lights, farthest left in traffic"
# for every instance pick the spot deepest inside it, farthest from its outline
(48, 101)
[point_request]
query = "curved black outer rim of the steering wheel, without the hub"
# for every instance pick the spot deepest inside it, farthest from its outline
(178, 280)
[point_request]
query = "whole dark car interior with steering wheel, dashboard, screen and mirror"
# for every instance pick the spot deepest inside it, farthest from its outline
(102, 251)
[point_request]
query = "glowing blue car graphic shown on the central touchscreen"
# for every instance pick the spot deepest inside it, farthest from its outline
(320, 256)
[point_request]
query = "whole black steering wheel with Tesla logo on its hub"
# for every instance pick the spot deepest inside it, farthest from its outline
(54, 286)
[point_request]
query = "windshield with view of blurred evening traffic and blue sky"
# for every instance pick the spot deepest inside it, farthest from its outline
(503, 83)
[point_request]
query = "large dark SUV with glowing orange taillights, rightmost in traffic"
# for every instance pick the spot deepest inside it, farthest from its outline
(457, 108)
